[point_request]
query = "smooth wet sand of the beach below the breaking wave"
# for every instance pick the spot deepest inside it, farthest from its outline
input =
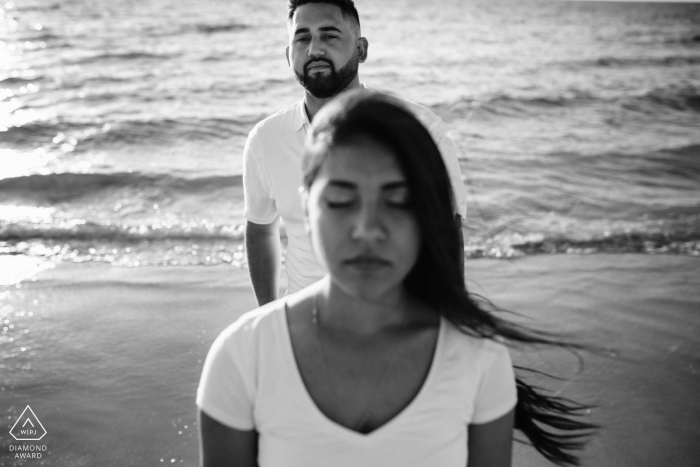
(109, 358)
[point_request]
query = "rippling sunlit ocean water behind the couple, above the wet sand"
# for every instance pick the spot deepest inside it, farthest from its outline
(122, 123)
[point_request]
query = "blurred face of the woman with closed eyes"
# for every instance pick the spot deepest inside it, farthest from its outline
(362, 225)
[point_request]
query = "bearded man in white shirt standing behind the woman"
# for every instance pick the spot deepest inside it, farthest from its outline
(324, 52)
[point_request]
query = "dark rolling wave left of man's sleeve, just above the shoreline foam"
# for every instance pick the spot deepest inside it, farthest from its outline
(62, 187)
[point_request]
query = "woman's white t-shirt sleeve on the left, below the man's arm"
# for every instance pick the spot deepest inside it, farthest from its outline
(226, 389)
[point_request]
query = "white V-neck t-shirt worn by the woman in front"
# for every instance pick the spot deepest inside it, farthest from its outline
(251, 381)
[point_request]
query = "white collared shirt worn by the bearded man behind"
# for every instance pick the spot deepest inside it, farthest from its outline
(272, 177)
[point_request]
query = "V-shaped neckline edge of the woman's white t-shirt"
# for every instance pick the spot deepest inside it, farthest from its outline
(396, 419)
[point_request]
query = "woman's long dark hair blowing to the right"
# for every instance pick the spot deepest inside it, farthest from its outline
(550, 423)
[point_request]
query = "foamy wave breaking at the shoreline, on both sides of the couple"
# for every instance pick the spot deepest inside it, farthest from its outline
(207, 245)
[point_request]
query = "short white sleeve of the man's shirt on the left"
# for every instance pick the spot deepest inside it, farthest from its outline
(260, 206)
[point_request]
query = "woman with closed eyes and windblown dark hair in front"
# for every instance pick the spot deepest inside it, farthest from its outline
(388, 360)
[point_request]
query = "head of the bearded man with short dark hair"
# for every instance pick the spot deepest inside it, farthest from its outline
(325, 49)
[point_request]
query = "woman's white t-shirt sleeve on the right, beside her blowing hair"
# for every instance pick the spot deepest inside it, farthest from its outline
(497, 393)
